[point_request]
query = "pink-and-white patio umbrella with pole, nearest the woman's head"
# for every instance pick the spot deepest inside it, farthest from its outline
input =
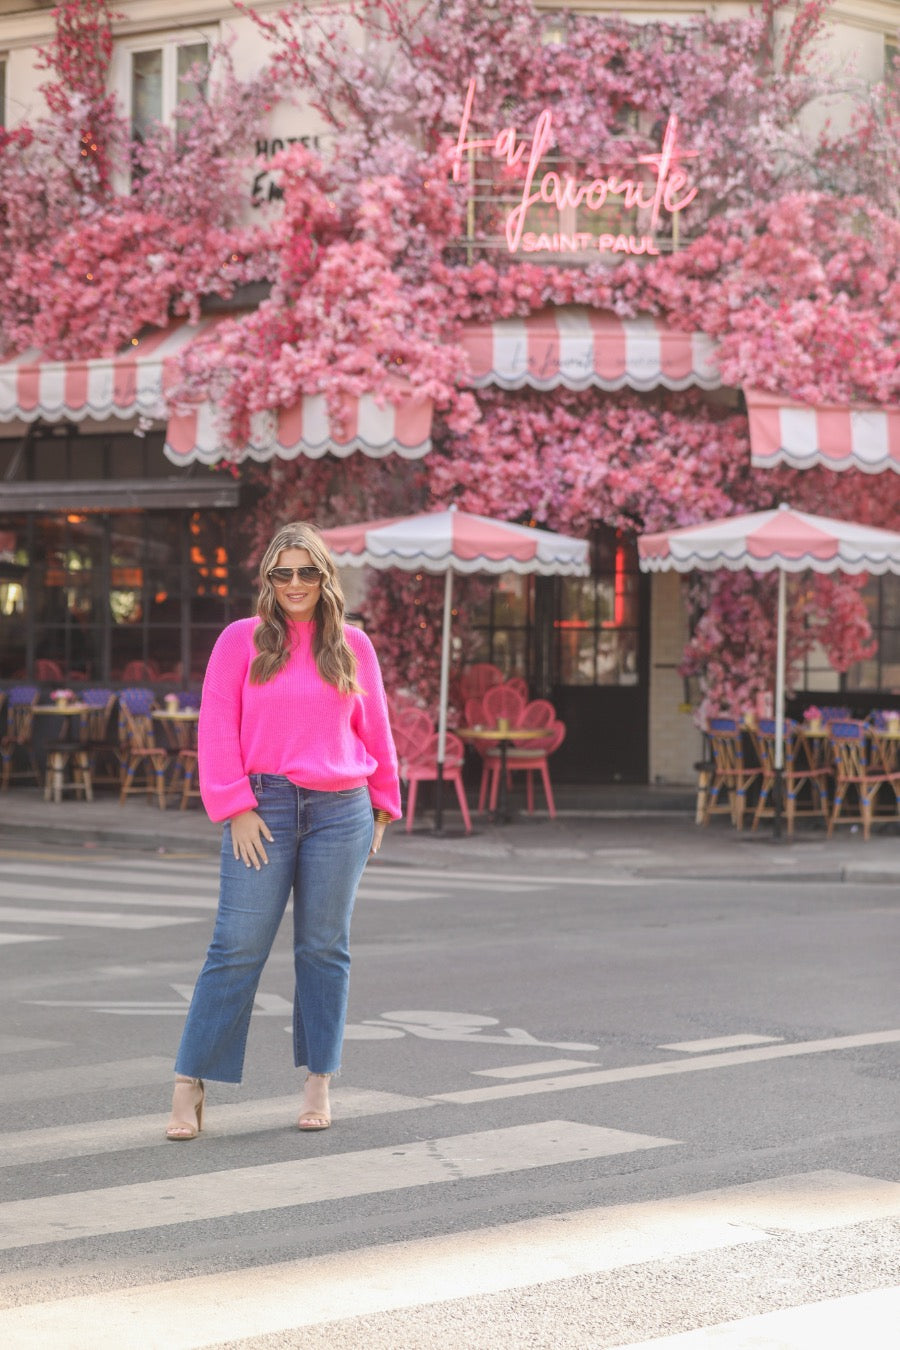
(453, 542)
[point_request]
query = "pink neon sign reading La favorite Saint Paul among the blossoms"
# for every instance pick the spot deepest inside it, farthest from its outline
(671, 194)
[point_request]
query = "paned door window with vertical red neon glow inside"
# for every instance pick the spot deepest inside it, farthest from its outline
(597, 624)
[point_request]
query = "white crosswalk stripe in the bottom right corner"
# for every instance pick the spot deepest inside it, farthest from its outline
(857, 1320)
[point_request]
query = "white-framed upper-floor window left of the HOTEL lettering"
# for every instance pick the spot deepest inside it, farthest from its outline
(157, 76)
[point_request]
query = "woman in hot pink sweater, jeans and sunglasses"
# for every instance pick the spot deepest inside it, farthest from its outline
(295, 754)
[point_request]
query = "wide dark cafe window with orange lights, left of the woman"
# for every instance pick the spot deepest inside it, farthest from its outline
(90, 595)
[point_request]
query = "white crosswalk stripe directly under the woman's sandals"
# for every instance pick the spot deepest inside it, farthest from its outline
(223, 1121)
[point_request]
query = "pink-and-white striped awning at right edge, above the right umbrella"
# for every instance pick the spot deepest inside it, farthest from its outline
(857, 437)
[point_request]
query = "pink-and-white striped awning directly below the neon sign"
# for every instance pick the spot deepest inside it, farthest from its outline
(577, 348)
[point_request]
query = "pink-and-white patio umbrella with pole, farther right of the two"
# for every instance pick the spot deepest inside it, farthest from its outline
(783, 539)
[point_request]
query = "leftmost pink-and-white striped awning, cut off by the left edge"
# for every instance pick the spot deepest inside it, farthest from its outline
(129, 385)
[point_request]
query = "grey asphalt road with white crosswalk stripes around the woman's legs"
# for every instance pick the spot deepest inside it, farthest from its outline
(575, 1110)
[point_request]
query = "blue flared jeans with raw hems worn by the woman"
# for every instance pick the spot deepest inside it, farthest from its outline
(320, 844)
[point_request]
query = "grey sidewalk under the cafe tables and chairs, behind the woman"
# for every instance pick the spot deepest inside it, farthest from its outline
(604, 832)
